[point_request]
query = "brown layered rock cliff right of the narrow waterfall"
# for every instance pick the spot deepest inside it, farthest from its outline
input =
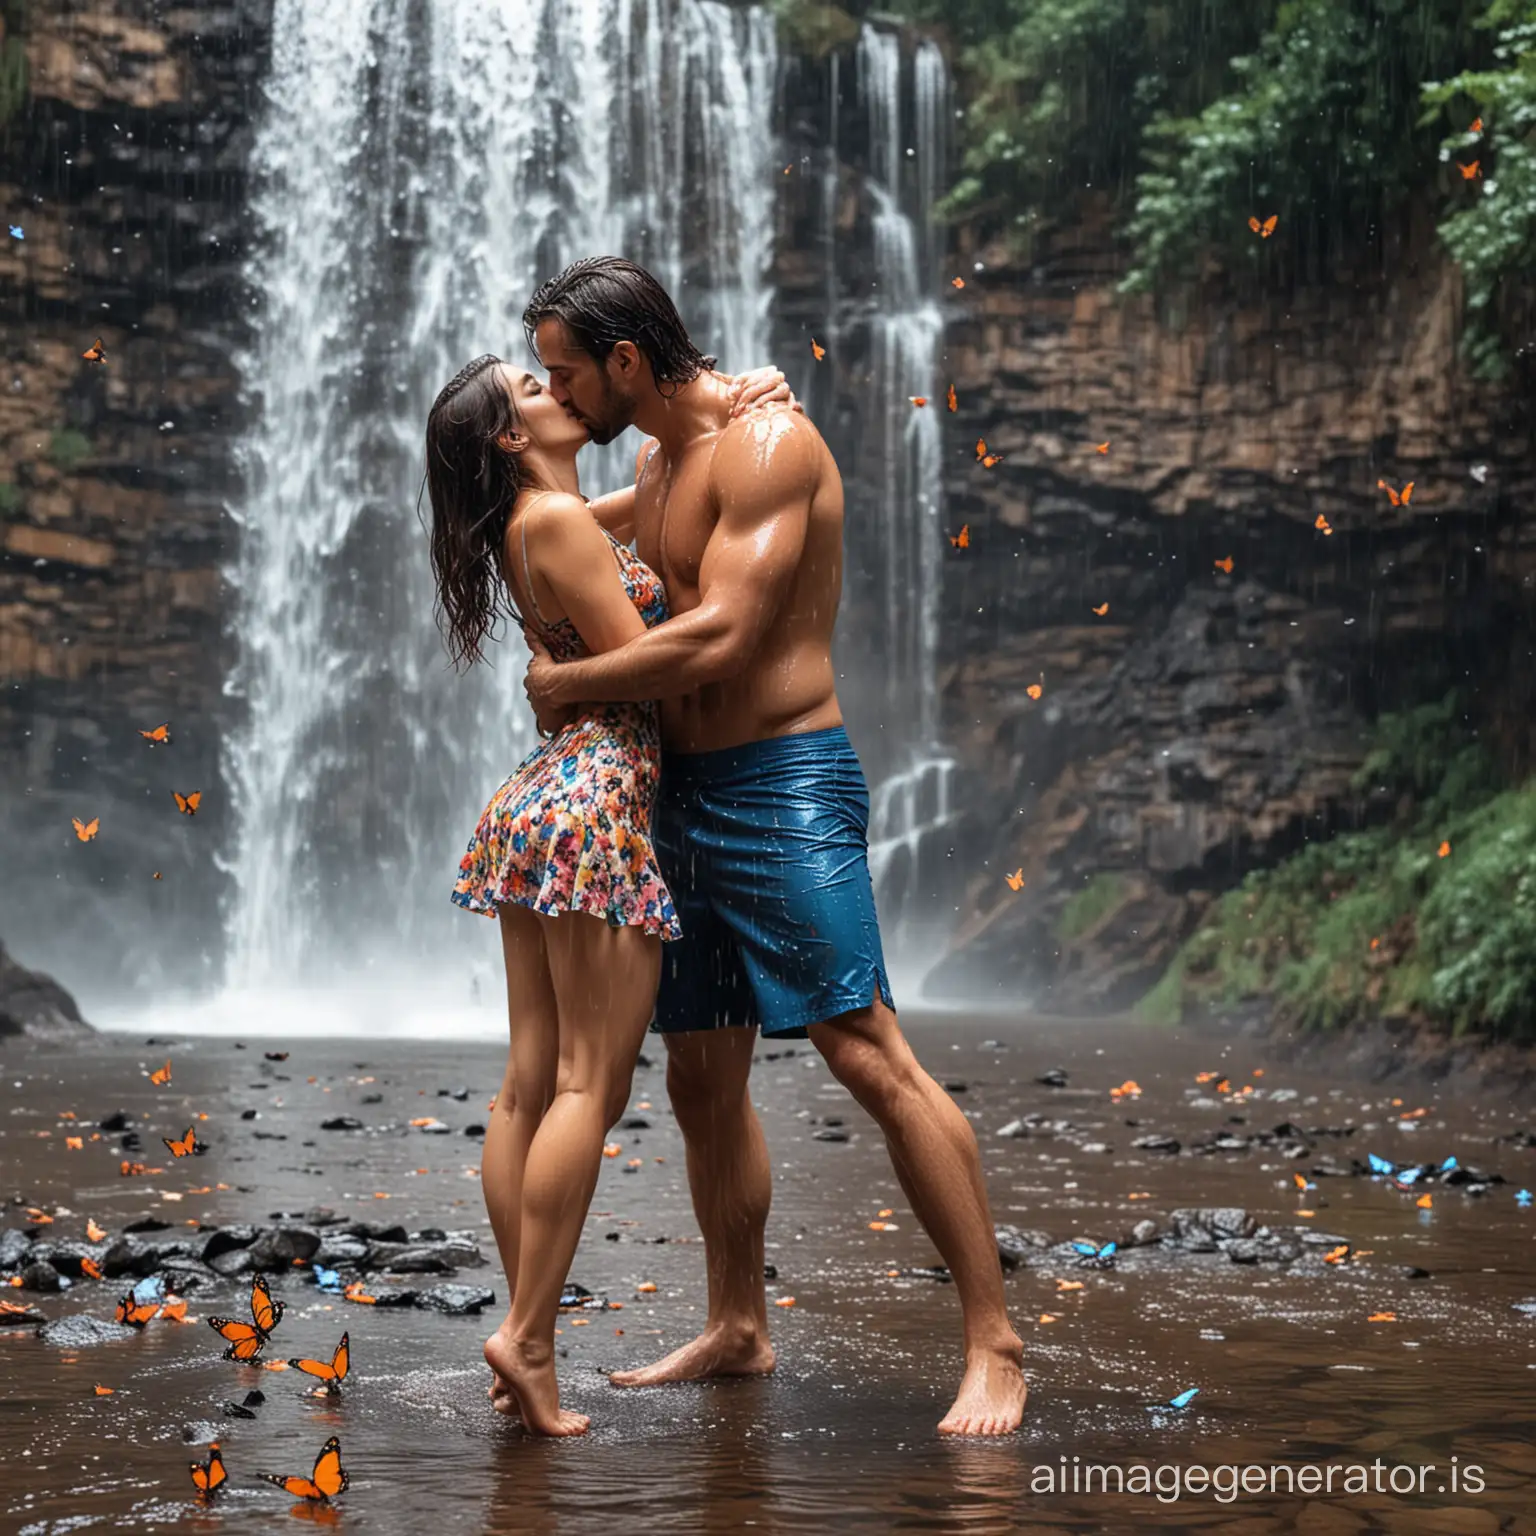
(1208, 720)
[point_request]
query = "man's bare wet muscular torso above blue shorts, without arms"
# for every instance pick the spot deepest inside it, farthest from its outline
(789, 684)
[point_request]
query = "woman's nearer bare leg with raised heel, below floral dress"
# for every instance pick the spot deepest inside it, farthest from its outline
(606, 988)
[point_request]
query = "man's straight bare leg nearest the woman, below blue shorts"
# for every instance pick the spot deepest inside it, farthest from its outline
(732, 1185)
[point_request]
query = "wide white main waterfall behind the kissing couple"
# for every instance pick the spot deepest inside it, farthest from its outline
(422, 165)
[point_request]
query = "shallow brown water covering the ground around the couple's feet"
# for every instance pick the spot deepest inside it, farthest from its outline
(1294, 1379)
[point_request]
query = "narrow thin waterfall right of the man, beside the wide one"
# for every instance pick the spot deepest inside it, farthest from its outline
(913, 810)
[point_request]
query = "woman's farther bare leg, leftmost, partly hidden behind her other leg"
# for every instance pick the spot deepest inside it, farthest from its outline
(523, 1099)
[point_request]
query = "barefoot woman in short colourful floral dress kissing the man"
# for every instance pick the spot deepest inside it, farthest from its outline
(563, 852)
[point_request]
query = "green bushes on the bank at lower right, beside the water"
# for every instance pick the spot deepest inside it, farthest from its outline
(1377, 924)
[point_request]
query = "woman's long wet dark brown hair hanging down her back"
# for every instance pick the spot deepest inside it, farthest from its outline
(472, 482)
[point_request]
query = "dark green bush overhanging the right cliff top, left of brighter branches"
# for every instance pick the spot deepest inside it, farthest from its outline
(1323, 130)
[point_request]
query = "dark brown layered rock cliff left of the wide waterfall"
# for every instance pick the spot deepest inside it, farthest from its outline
(125, 171)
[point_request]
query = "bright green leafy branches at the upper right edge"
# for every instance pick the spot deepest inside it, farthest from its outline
(1494, 236)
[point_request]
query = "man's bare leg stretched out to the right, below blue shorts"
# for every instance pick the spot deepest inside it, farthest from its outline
(939, 1167)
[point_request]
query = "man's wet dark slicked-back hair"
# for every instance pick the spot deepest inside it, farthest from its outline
(606, 300)
